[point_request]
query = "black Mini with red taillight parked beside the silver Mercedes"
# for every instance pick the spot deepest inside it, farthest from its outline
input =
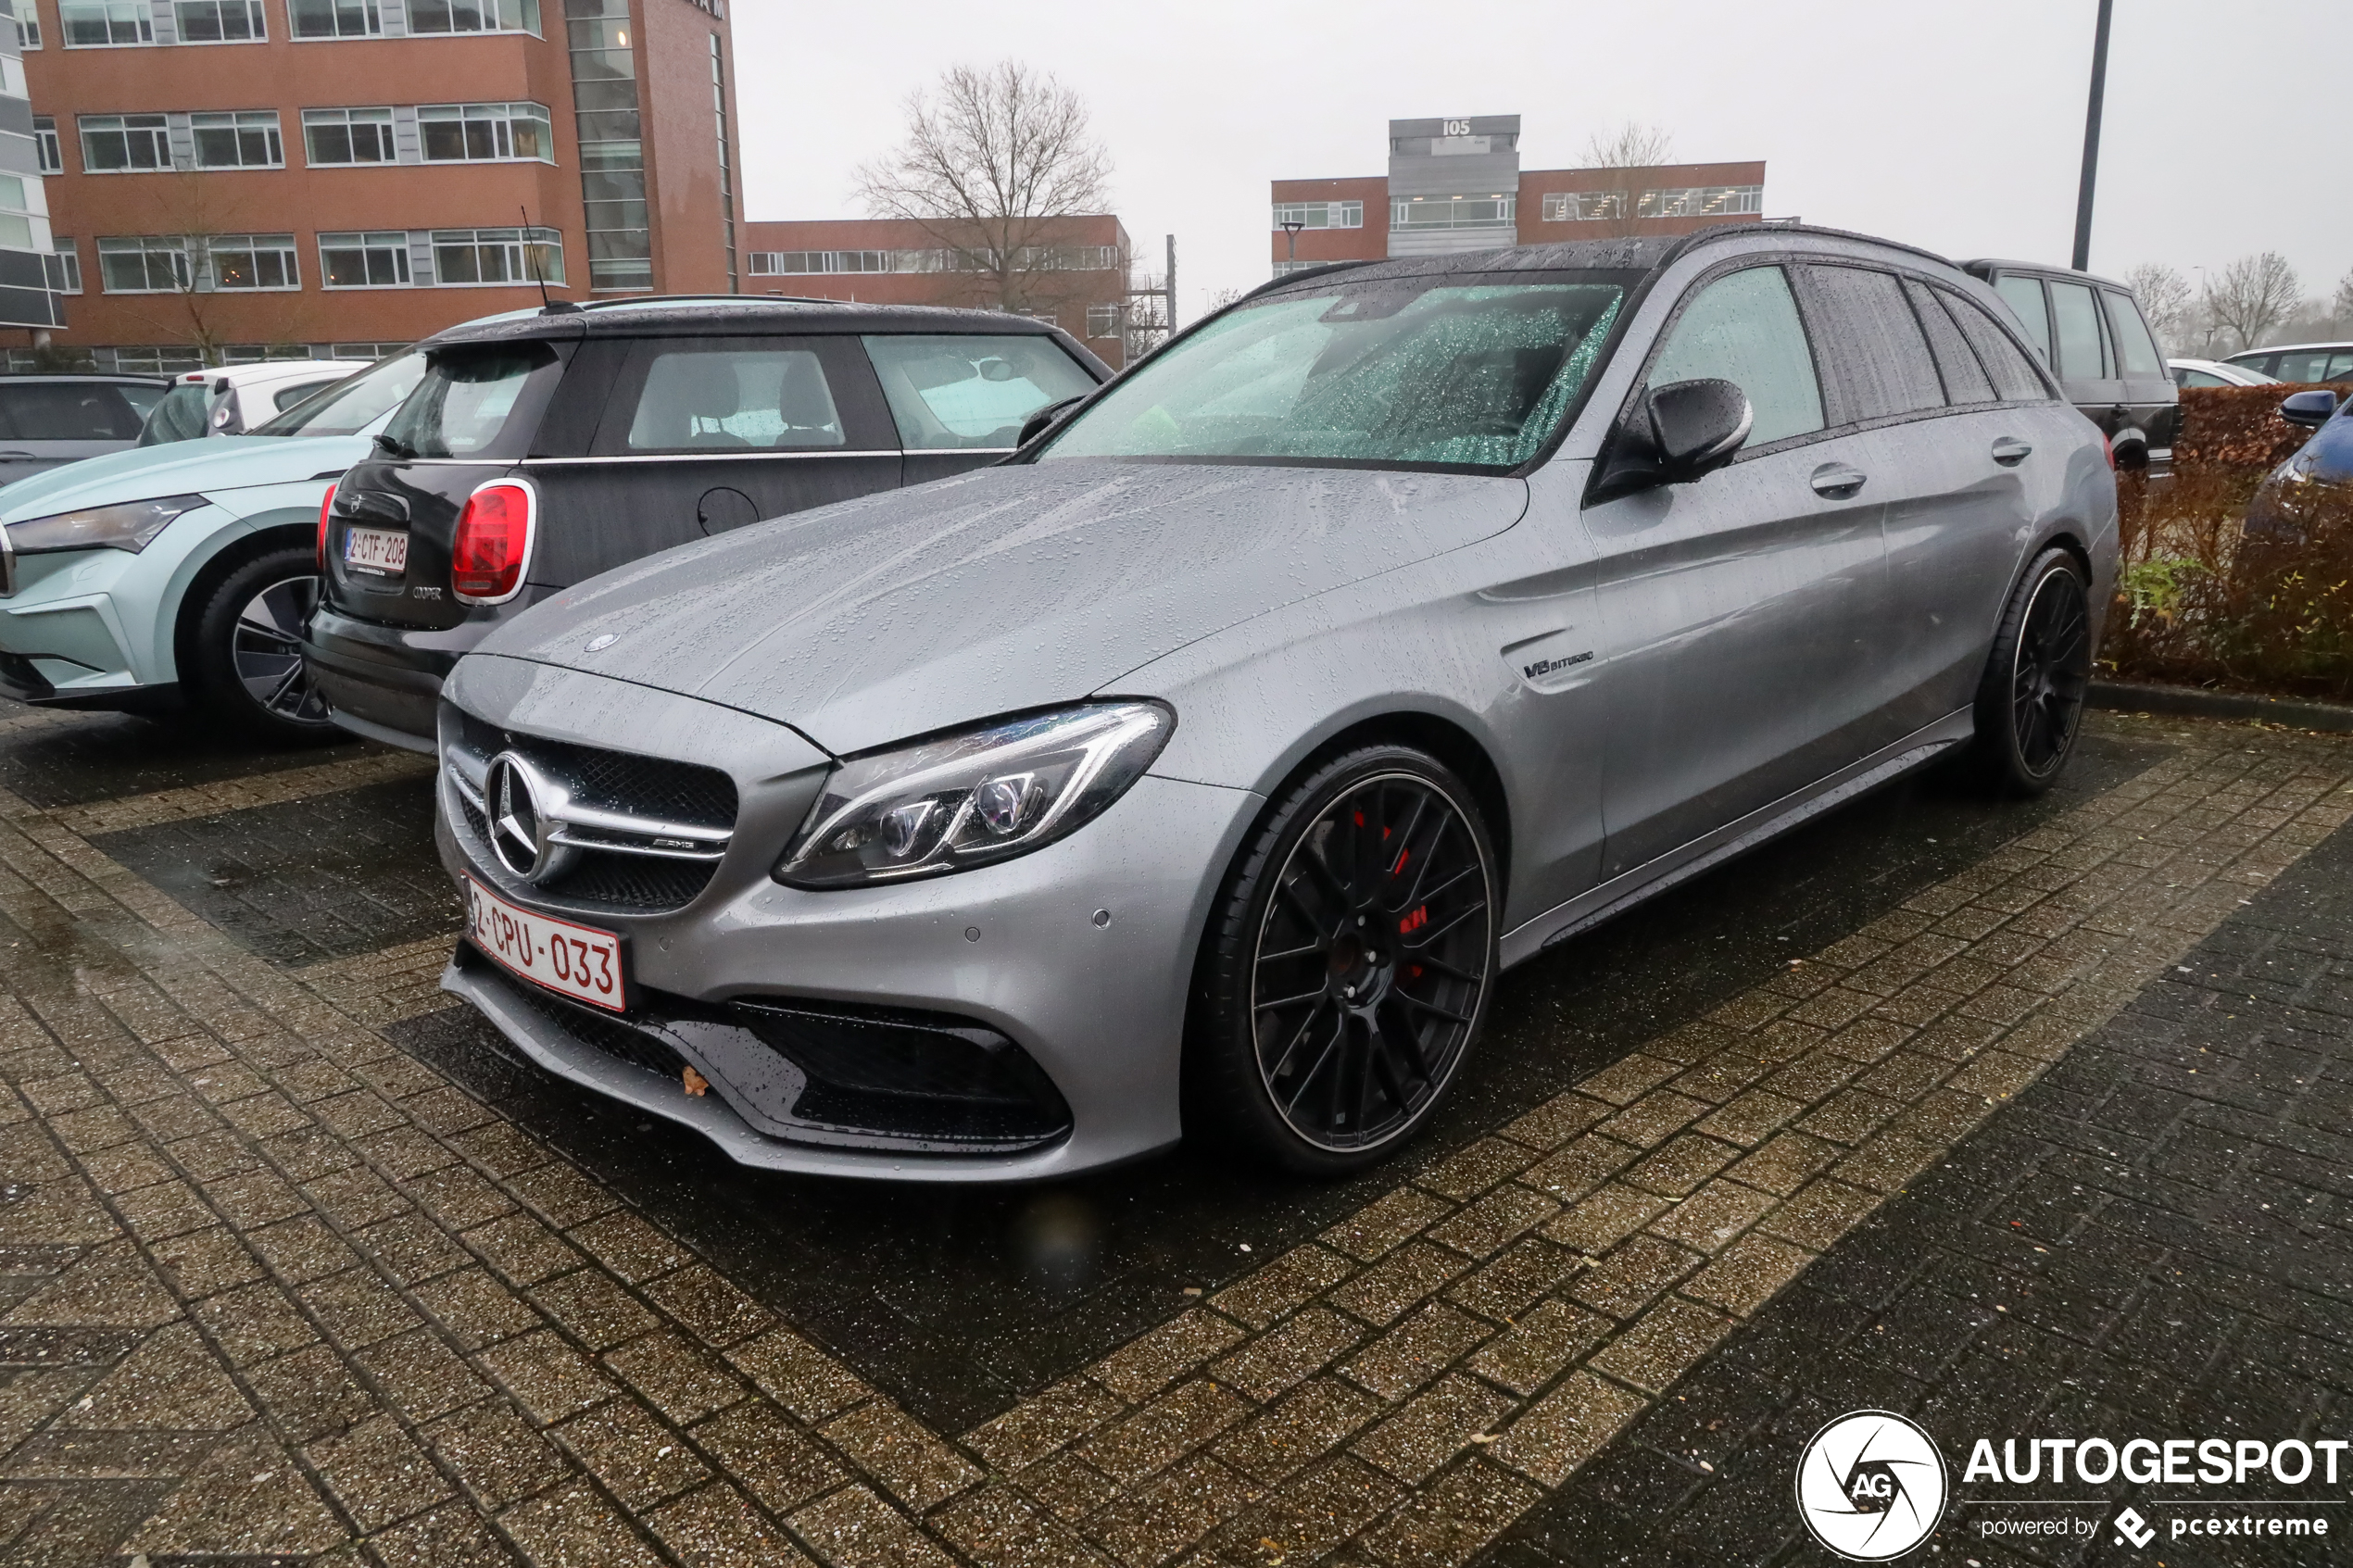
(549, 448)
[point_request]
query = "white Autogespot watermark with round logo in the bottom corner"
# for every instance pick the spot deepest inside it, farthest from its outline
(1874, 1487)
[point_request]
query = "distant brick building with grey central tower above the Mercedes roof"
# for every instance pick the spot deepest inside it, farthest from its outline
(1458, 185)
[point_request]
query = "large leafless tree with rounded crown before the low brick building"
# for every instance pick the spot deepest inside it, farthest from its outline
(994, 166)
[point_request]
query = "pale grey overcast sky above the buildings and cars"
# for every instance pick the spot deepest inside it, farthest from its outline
(1954, 126)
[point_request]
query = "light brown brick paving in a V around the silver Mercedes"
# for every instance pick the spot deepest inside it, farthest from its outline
(333, 1296)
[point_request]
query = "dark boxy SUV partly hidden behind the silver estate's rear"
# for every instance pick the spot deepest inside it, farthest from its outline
(2093, 337)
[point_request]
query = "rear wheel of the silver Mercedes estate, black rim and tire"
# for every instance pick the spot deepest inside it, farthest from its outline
(2029, 706)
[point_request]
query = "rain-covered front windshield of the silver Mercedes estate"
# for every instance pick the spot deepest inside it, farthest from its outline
(1397, 373)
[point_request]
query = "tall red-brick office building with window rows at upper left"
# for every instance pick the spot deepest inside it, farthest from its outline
(286, 177)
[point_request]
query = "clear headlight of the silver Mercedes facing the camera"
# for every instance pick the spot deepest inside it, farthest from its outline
(975, 798)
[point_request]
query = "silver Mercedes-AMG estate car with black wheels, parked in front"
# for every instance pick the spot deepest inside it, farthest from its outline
(1211, 758)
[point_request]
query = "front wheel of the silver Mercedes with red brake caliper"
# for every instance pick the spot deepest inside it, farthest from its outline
(1340, 991)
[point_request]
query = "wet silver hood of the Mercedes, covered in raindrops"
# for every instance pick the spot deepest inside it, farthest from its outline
(996, 591)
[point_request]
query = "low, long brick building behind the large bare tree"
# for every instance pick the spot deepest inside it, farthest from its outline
(1076, 274)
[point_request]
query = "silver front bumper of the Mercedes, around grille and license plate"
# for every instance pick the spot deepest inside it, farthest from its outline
(1081, 956)
